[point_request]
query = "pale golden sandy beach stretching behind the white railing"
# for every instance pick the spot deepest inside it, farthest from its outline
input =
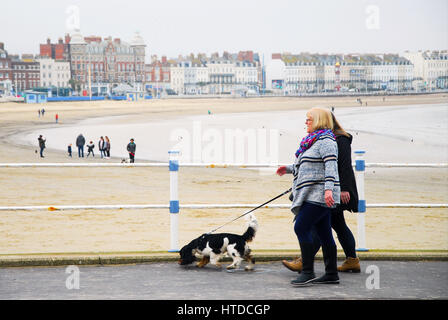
(148, 230)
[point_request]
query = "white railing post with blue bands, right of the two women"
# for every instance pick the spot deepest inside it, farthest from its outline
(359, 173)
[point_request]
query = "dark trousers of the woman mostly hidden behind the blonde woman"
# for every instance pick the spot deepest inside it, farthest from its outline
(345, 236)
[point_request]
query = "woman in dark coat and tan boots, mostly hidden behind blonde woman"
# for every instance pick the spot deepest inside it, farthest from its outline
(349, 202)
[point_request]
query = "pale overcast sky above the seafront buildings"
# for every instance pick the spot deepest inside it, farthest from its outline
(173, 27)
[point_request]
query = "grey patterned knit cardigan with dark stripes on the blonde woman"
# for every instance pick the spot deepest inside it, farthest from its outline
(315, 171)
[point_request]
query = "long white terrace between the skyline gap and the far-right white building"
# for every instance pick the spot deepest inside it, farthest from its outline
(320, 73)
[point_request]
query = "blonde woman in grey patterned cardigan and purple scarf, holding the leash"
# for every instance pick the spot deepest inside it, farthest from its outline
(315, 192)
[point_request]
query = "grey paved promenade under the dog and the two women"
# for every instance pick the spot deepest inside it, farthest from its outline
(270, 281)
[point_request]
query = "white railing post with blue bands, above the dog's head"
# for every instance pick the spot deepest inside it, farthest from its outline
(174, 201)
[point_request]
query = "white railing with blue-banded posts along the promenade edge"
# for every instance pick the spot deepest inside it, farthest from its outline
(174, 205)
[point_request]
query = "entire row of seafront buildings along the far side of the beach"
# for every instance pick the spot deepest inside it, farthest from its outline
(92, 65)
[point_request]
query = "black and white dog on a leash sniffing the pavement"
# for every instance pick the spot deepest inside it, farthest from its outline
(212, 247)
